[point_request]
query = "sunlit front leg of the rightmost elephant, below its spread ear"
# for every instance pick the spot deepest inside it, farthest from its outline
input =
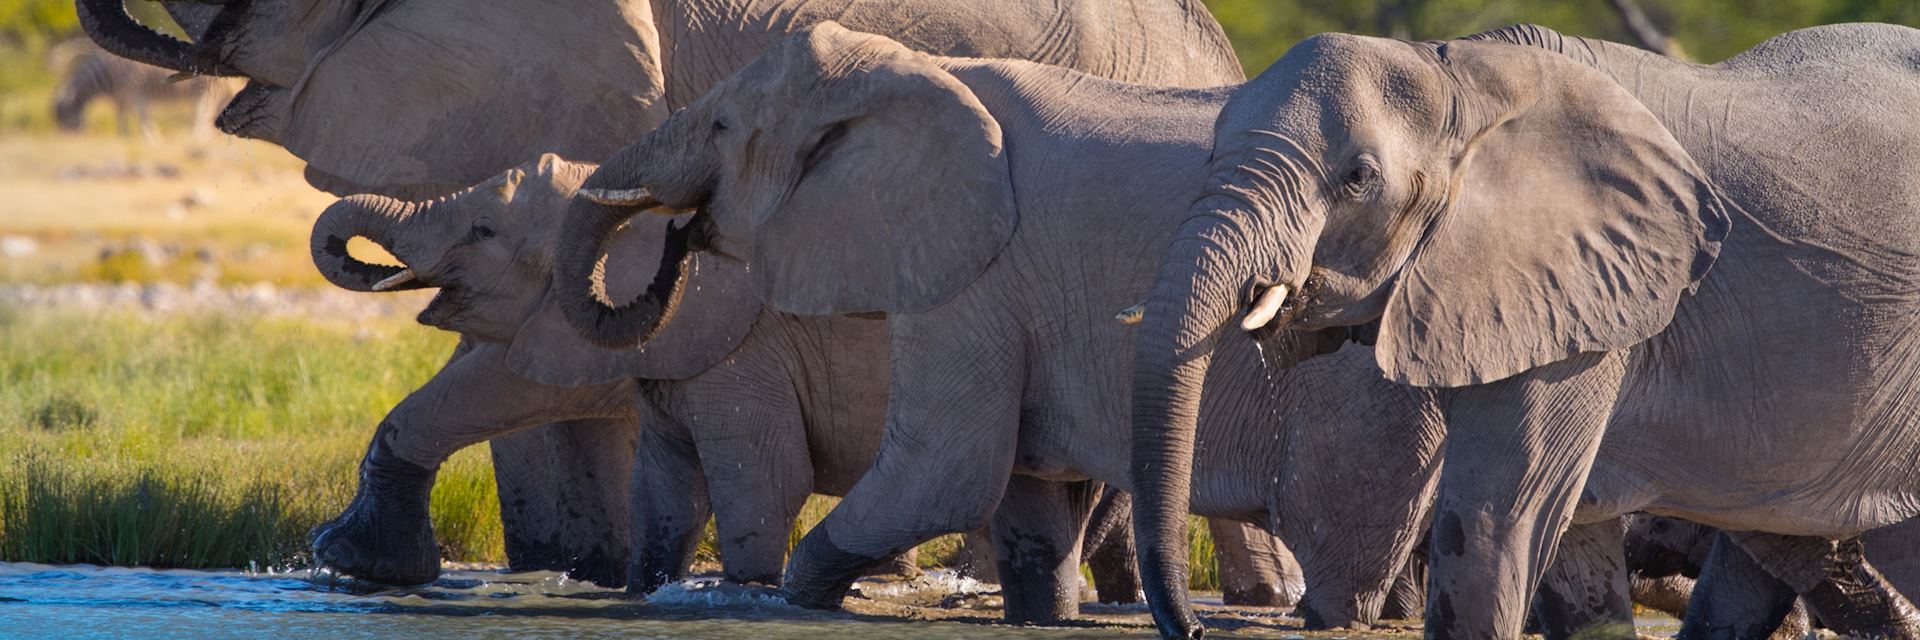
(1518, 456)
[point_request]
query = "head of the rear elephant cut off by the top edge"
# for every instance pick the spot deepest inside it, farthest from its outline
(412, 99)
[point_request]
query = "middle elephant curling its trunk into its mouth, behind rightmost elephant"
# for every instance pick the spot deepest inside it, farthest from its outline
(994, 212)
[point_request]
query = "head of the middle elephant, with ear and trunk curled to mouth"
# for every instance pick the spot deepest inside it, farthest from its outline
(811, 164)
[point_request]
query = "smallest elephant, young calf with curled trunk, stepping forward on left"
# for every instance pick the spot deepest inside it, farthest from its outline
(813, 430)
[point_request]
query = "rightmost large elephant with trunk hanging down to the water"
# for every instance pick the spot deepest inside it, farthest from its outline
(1602, 262)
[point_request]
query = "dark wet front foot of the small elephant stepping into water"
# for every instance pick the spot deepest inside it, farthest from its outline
(387, 533)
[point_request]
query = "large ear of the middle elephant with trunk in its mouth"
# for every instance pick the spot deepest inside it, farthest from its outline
(905, 193)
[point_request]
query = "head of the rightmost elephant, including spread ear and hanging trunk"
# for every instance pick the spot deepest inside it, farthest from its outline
(1489, 209)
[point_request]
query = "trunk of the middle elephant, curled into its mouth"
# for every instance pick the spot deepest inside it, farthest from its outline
(581, 274)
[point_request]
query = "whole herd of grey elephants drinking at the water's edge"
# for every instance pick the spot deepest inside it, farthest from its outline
(1512, 328)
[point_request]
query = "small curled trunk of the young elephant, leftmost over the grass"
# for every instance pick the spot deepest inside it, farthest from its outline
(373, 218)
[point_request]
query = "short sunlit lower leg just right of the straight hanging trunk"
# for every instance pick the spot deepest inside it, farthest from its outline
(1255, 570)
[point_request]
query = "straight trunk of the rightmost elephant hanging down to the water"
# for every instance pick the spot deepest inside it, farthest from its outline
(1193, 297)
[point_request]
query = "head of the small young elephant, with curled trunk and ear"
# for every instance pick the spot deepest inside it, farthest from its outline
(491, 253)
